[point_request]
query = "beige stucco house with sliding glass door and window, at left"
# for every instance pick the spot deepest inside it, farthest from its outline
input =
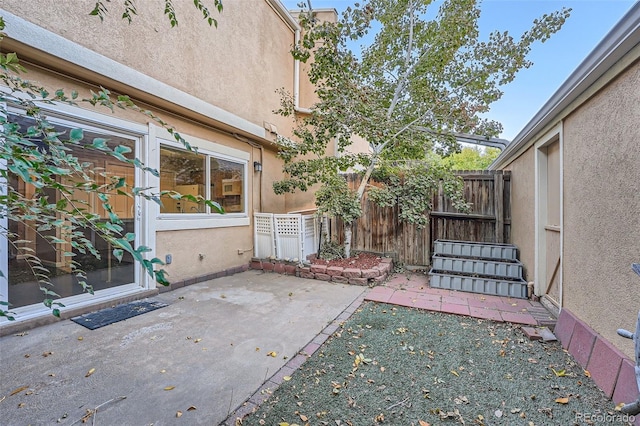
(216, 86)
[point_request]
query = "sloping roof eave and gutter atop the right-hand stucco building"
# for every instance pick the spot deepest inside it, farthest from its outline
(620, 40)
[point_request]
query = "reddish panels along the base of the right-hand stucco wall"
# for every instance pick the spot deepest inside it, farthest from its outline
(610, 369)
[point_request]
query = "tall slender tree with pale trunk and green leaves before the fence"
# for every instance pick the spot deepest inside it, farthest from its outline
(423, 77)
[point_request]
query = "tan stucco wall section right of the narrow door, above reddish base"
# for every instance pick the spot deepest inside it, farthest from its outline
(602, 208)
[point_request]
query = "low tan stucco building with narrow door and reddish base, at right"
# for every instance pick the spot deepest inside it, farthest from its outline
(575, 174)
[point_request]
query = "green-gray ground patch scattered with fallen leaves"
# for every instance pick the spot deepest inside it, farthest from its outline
(404, 366)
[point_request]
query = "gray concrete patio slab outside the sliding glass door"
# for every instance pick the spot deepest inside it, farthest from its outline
(203, 355)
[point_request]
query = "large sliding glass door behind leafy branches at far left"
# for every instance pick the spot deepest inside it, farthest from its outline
(103, 272)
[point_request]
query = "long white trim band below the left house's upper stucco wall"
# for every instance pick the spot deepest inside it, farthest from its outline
(57, 46)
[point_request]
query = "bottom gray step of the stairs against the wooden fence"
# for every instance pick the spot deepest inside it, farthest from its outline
(496, 287)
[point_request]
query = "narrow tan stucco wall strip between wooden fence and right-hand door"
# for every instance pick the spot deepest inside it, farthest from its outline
(523, 209)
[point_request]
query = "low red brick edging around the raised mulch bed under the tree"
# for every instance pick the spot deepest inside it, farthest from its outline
(363, 277)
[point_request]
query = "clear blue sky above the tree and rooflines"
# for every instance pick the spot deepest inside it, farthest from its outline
(553, 61)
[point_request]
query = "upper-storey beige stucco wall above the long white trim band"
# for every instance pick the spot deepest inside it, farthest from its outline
(248, 53)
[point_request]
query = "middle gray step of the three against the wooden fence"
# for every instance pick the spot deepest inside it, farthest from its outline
(477, 267)
